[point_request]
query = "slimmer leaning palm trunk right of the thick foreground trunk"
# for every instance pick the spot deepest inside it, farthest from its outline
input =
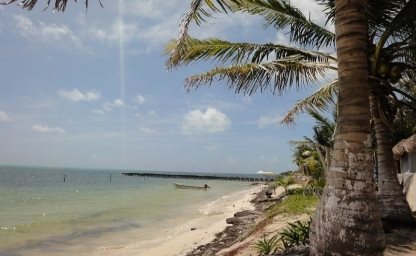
(394, 207)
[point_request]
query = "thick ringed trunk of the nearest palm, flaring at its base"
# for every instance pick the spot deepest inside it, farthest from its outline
(347, 221)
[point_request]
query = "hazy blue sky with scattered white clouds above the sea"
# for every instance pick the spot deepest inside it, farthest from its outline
(90, 89)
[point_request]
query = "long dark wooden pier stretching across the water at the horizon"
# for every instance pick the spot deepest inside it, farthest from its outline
(201, 177)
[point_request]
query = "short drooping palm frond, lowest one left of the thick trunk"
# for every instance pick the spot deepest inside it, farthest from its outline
(322, 99)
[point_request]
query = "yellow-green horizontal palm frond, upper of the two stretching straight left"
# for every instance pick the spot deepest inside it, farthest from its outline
(224, 51)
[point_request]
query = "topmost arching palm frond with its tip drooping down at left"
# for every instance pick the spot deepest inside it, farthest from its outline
(277, 13)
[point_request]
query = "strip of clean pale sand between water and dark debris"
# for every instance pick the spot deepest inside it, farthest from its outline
(183, 238)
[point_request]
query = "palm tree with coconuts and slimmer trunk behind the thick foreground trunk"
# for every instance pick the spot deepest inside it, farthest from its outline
(394, 207)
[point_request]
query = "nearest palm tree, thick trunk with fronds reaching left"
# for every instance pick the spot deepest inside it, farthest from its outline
(350, 196)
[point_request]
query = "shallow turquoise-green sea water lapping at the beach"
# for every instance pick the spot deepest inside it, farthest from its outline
(40, 214)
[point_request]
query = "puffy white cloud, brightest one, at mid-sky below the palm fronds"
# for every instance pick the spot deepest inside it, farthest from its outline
(210, 121)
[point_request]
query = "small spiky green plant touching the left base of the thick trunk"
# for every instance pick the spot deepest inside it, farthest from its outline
(296, 234)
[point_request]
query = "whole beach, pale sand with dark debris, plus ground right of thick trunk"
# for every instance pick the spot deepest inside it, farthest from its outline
(210, 234)
